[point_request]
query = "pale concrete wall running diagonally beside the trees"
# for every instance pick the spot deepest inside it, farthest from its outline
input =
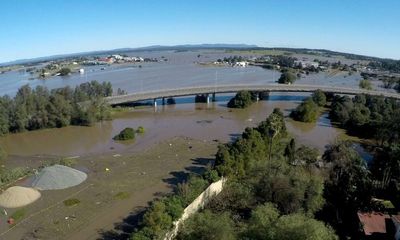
(212, 190)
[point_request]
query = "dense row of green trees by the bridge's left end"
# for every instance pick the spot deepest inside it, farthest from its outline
(40, 108)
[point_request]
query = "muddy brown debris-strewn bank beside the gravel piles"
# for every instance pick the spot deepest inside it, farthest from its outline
(107, 197)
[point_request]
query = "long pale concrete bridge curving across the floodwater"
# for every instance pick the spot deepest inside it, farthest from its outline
(206, 90)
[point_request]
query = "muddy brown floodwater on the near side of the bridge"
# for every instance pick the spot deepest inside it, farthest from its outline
(193, 120)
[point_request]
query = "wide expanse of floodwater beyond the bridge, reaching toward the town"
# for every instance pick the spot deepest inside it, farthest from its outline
(181, 70)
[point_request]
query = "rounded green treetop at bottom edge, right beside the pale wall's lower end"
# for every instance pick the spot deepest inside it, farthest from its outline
(208, 226)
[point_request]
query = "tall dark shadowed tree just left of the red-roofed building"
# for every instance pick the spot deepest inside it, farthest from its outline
(348, 189)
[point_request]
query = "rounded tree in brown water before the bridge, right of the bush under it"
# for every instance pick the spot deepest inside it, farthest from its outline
(307, 111)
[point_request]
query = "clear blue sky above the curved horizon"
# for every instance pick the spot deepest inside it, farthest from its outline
(46, 27)
